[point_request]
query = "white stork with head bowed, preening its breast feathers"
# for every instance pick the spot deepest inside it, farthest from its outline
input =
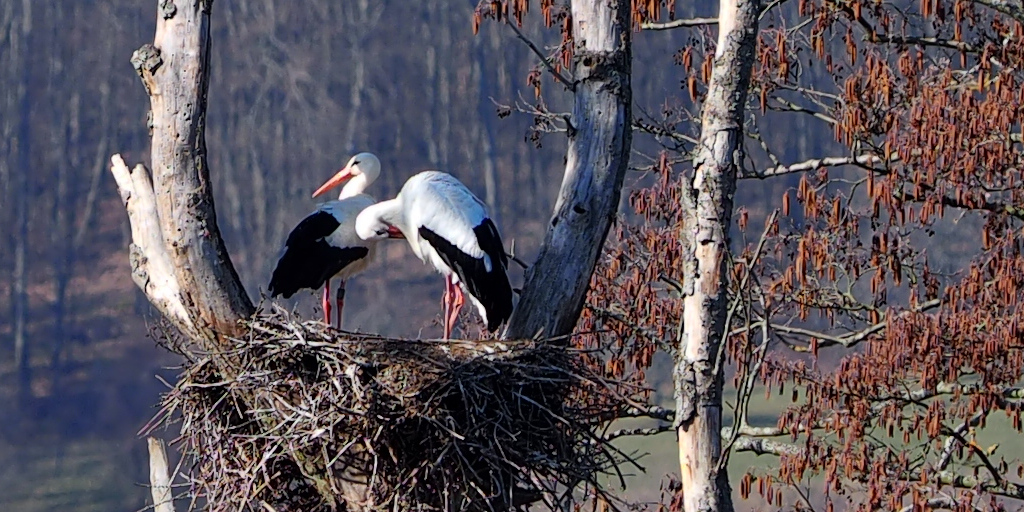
(448, 228)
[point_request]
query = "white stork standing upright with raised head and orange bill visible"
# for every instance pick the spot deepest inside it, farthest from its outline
(325, 244)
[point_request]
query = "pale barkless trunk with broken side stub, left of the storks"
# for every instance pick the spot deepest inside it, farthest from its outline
(184, 267)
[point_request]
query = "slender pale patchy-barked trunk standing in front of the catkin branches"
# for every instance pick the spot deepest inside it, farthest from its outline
(710, 198)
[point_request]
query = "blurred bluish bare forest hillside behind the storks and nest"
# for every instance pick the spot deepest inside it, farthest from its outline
(297, 88)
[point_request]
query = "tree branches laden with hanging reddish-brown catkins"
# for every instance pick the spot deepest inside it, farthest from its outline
(875, 272)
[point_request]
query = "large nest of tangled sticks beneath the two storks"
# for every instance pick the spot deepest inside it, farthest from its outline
(316, 419)
